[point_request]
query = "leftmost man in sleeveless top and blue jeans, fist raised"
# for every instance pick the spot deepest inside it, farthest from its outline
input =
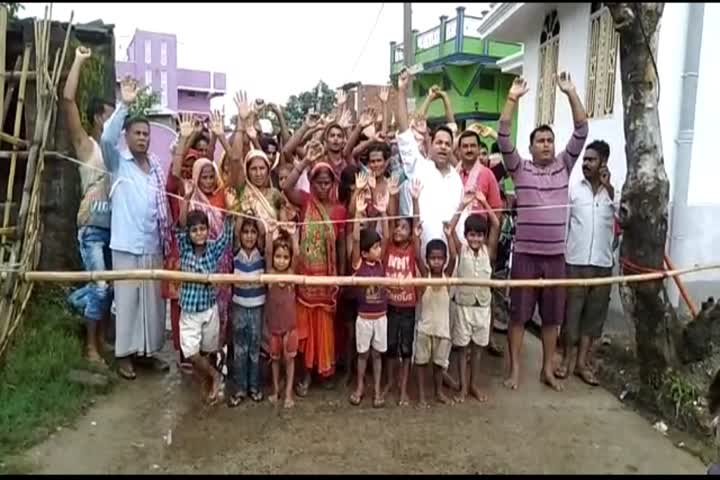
(93, 218)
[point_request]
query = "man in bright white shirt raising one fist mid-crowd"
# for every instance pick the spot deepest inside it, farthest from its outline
(442, 187)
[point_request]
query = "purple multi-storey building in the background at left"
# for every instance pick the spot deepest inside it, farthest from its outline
(137, 66)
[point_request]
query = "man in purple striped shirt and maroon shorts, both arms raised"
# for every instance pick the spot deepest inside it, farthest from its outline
(540, 232)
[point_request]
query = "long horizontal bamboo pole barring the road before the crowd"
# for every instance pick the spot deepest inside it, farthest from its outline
(266, 278)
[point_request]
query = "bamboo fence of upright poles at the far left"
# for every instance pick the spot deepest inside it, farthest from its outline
(20, 243)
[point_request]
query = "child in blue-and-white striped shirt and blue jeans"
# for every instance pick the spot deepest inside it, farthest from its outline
(247, 315)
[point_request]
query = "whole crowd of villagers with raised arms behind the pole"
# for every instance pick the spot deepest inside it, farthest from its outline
(382, 196)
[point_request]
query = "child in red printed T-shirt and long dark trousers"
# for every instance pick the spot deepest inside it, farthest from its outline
(400, 263)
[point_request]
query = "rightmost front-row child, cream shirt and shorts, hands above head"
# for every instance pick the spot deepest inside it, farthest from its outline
(475, 259)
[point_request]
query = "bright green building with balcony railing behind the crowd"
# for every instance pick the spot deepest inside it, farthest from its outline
(455, 58)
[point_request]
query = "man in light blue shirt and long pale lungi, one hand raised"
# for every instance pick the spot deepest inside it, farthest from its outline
(140, 229)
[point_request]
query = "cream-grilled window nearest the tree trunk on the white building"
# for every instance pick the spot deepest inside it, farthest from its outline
(602, 62)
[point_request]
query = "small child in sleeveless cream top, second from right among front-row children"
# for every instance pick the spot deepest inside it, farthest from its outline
(432, 341)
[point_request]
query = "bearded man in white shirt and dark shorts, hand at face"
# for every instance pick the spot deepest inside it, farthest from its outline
(589, 255)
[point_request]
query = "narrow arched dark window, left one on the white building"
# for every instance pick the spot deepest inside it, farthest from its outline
(548, 62)
